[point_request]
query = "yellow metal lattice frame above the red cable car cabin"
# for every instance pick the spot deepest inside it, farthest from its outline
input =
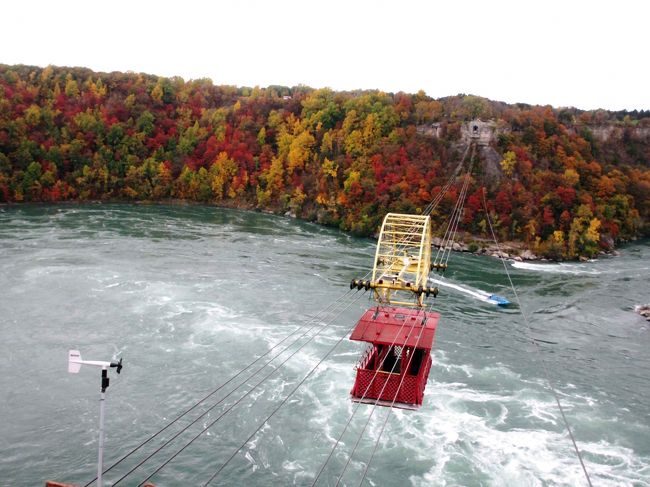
(402, 260)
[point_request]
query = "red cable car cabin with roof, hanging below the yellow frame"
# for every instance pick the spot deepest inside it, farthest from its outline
(395, 368)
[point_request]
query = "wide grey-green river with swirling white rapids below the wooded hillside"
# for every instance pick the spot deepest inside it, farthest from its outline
(189, 296)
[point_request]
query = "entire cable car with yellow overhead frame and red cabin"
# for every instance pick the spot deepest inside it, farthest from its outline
(399, 330)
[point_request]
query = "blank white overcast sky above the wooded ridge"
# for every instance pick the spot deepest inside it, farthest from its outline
(588, 54)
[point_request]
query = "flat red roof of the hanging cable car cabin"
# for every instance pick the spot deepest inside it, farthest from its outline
(397, 326)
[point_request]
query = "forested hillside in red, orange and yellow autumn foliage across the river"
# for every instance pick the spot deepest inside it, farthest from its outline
(567, 183)
